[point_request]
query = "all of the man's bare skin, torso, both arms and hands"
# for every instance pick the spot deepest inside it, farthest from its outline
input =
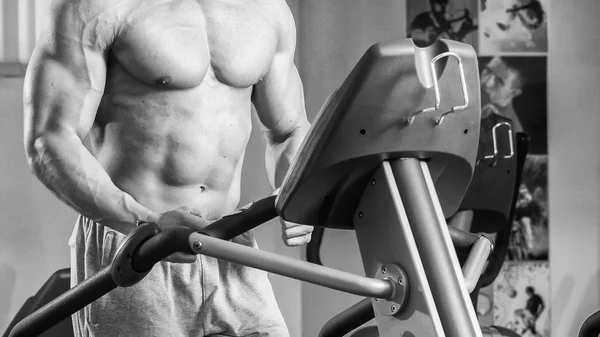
(164, 90)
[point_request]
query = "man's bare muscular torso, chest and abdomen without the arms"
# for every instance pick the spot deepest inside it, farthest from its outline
(174, 121)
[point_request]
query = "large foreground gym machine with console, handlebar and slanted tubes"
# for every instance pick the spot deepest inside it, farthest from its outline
(390, 155)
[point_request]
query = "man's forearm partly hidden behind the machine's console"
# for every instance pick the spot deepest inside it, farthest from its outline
(280, 155)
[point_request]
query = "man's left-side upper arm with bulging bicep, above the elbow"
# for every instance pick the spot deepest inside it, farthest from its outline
(64, 82)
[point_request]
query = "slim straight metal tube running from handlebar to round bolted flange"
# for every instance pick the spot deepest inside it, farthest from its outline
(290, 267)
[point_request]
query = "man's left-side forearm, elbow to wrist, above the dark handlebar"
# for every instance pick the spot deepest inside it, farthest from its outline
(68, 169)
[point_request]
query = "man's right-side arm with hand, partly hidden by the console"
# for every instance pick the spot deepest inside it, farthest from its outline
(279, 101)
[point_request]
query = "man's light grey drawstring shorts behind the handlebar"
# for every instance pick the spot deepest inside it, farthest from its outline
(206, 298)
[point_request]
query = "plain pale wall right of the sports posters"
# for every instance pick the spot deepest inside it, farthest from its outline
(574, 162)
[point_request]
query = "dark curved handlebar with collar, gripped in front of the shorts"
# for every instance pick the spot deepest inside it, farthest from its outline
(143, 247)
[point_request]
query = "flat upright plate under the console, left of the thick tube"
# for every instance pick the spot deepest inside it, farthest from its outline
(385, 238)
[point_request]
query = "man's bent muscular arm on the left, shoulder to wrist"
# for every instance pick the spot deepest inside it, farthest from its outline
(63, 86)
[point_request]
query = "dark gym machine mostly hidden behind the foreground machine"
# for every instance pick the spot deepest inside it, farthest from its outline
(487, 209)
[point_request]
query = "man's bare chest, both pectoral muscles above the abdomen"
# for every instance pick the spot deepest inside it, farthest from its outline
(173, 44)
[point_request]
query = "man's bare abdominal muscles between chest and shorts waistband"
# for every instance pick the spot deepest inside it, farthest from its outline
(176, 148)
